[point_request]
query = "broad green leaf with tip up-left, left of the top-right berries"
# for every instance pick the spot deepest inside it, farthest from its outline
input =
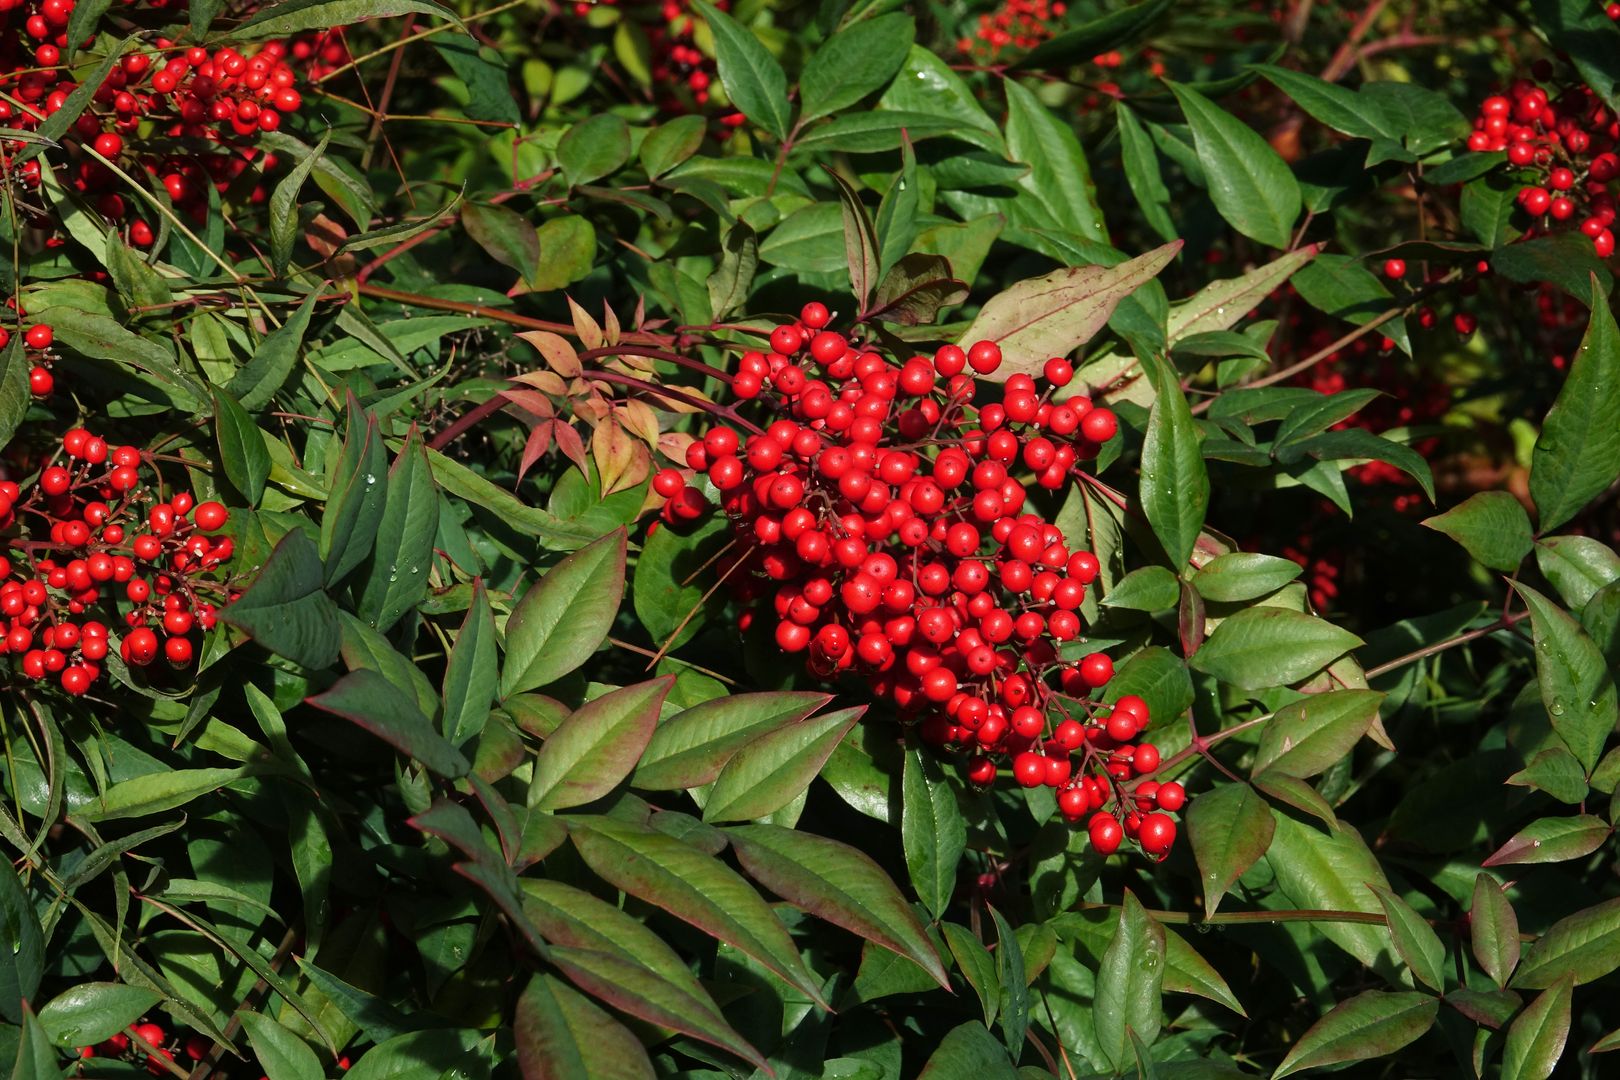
(1248, 182)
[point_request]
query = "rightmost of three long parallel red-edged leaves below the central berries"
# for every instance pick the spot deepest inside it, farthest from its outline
(840, 885)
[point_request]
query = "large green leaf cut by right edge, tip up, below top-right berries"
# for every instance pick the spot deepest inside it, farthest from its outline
(1579, 451)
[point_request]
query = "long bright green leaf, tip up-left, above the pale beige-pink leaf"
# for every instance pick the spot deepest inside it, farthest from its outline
(1059, 181)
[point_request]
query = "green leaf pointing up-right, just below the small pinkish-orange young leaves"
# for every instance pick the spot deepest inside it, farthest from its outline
(563, 618)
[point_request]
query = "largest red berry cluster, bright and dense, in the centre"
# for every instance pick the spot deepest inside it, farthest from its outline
(885, 522)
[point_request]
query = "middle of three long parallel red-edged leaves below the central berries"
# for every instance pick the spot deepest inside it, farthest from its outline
(693, 887)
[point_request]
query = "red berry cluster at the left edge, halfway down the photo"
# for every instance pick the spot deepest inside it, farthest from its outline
(92, 529)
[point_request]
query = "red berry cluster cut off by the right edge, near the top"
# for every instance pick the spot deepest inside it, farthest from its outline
(1567, 145)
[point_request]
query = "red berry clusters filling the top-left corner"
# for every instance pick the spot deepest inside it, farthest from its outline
(220, 100)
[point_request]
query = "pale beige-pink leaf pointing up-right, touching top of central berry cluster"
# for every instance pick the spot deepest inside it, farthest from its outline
(1054, 315)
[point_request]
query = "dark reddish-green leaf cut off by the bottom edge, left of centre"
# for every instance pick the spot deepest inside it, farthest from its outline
(561, 1034)
